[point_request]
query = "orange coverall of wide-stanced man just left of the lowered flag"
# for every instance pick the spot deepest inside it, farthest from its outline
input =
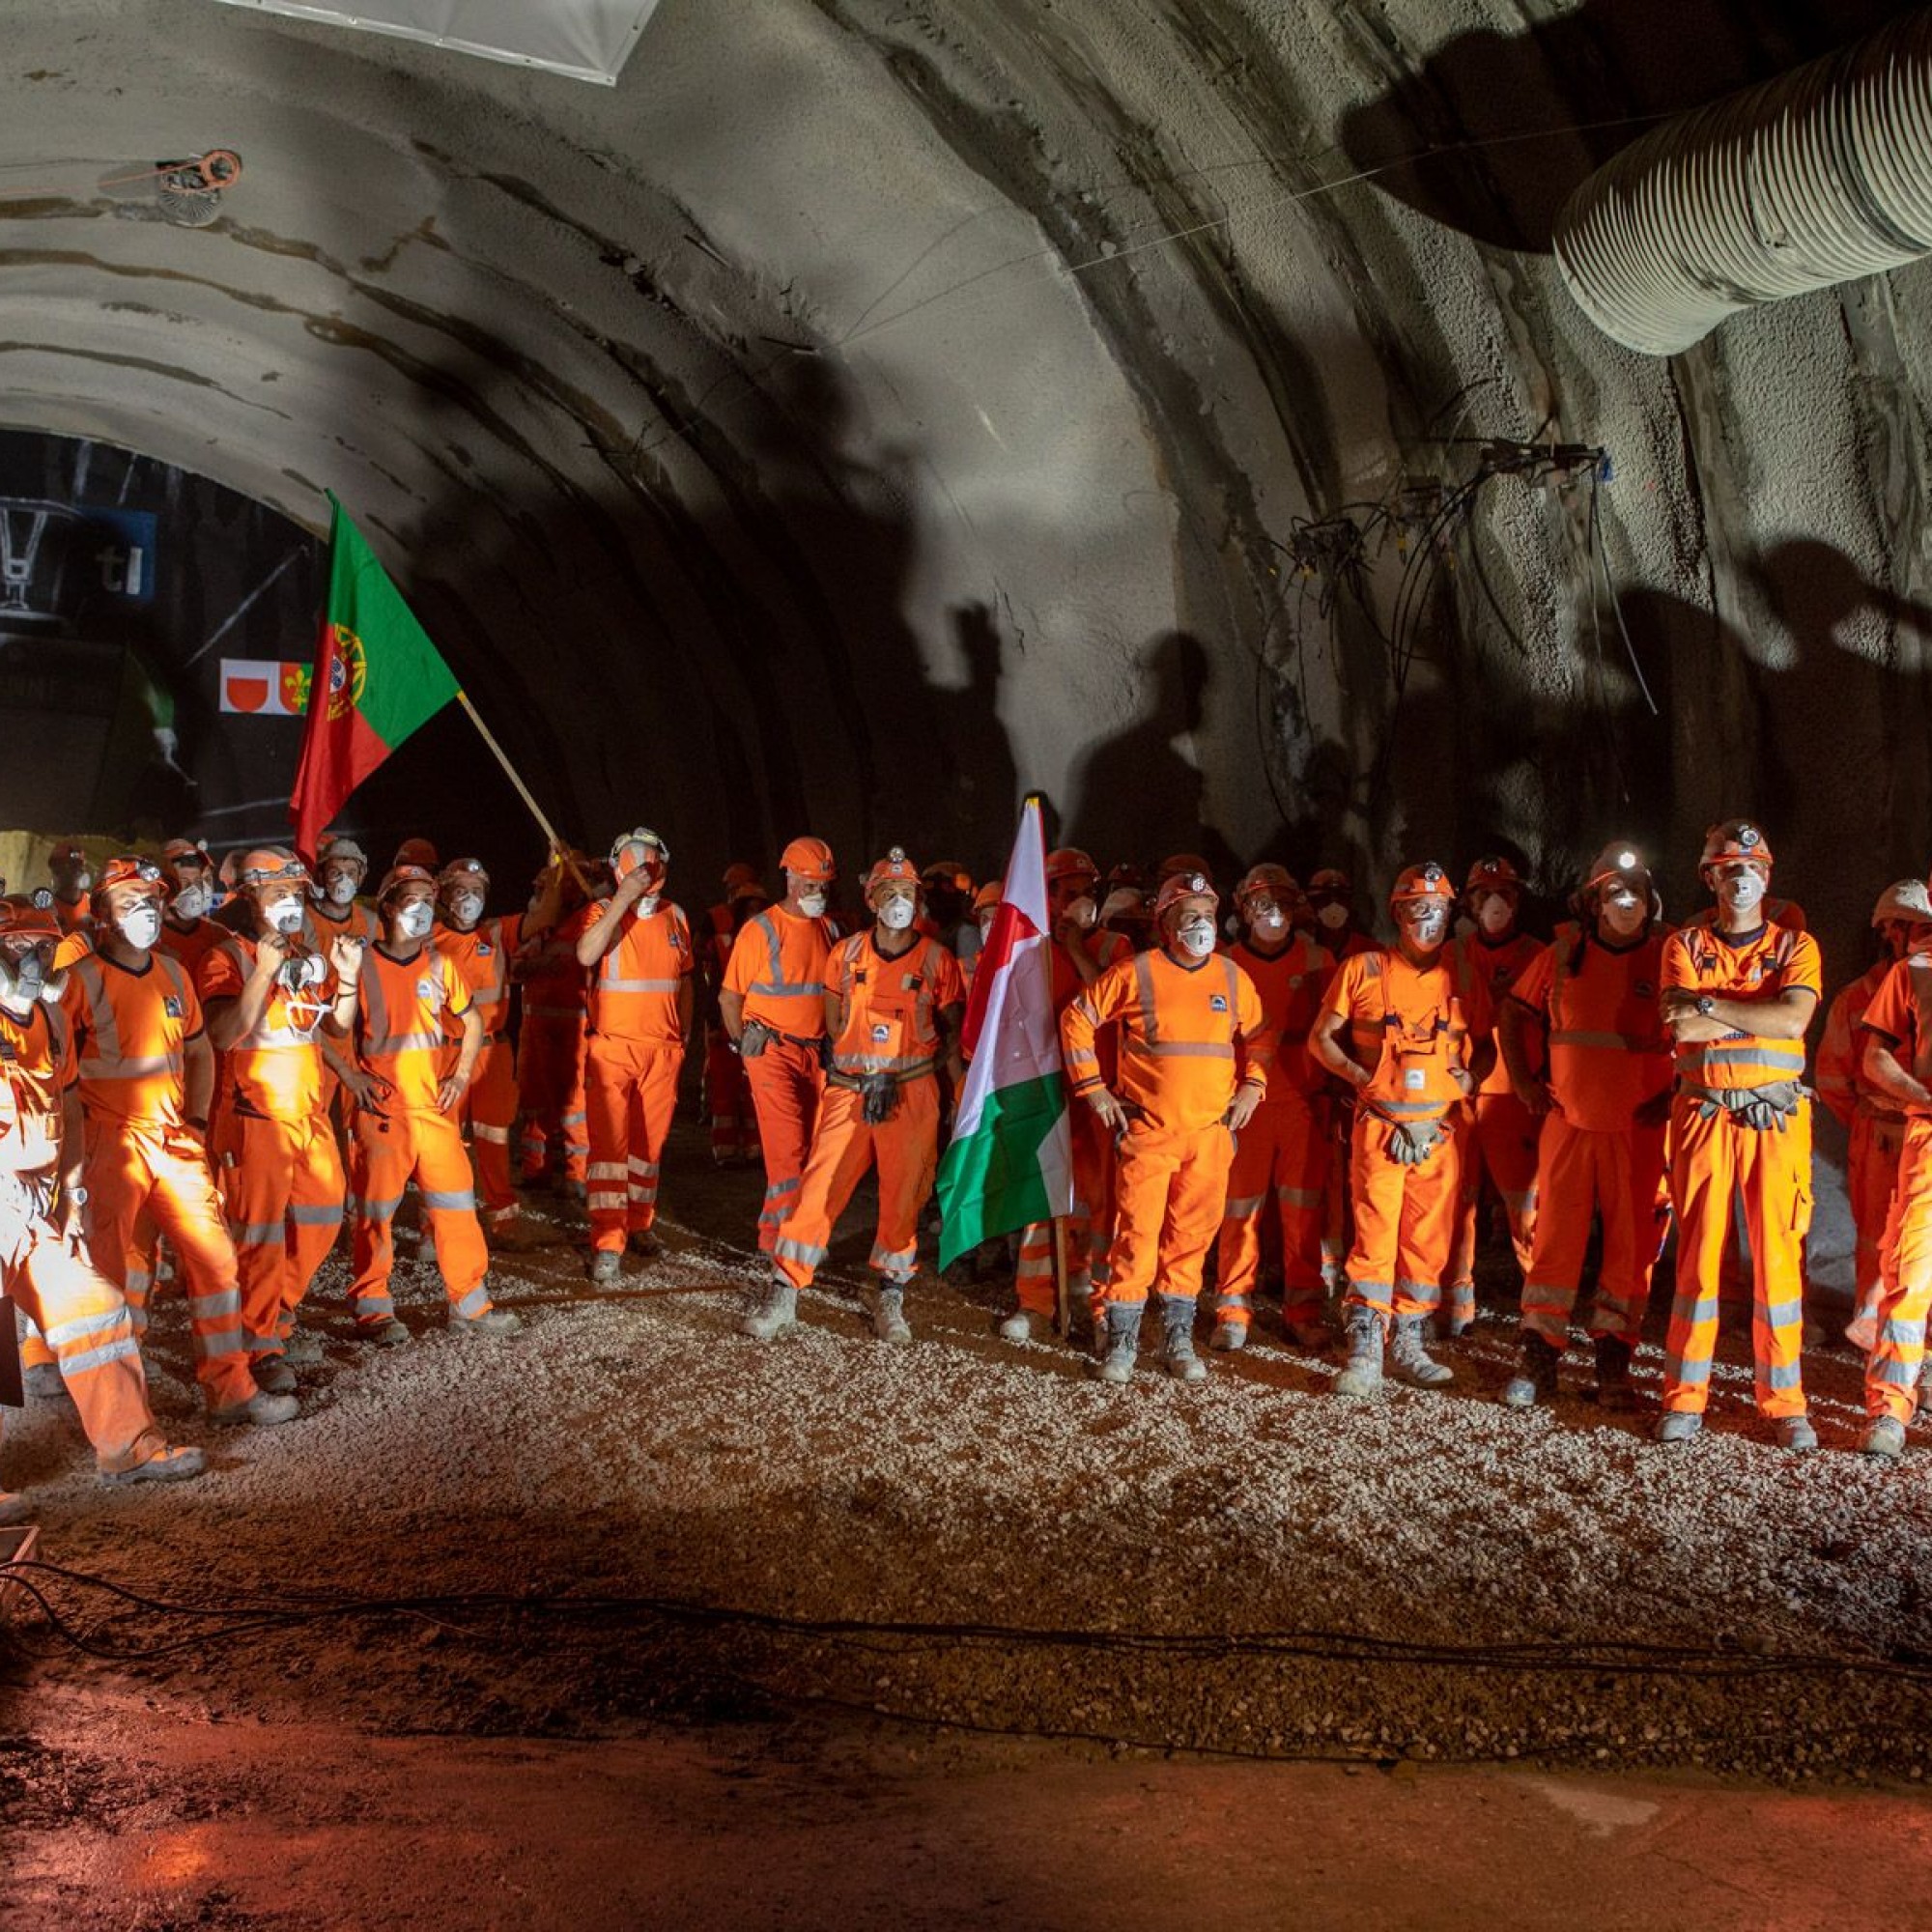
(888, 1042)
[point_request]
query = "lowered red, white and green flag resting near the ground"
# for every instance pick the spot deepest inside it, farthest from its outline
(1011, 1154)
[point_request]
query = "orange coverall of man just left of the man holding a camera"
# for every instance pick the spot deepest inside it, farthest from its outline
(146, 1168)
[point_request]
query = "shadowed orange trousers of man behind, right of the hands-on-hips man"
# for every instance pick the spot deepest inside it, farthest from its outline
(1282, 1162)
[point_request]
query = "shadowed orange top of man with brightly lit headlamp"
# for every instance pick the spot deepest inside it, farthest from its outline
(1608, 1046)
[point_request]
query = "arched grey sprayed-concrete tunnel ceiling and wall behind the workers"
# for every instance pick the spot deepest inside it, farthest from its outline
(870, 409)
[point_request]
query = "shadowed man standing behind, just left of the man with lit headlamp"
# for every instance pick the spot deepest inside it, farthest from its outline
(1500, 1147)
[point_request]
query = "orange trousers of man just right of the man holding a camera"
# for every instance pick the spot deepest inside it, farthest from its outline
(387, 1154)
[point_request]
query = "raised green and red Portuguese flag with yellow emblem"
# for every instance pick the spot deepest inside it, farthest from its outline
(378, 679)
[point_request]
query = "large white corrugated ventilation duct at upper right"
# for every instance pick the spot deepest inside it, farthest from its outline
(1780, 190)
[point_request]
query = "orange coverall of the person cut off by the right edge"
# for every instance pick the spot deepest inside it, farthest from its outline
(1902, 1017)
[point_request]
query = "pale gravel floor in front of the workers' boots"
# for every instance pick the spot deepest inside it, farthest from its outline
(631, 1446)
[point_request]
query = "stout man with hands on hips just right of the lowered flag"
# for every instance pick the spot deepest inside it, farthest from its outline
(1195, 1056)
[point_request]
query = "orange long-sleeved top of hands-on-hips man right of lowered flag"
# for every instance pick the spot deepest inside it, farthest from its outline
(1181, 1029)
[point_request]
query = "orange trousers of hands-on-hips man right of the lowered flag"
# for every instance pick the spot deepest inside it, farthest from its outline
(1170, 1191)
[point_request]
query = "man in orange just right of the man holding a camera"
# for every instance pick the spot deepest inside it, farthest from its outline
(405, 1129)
